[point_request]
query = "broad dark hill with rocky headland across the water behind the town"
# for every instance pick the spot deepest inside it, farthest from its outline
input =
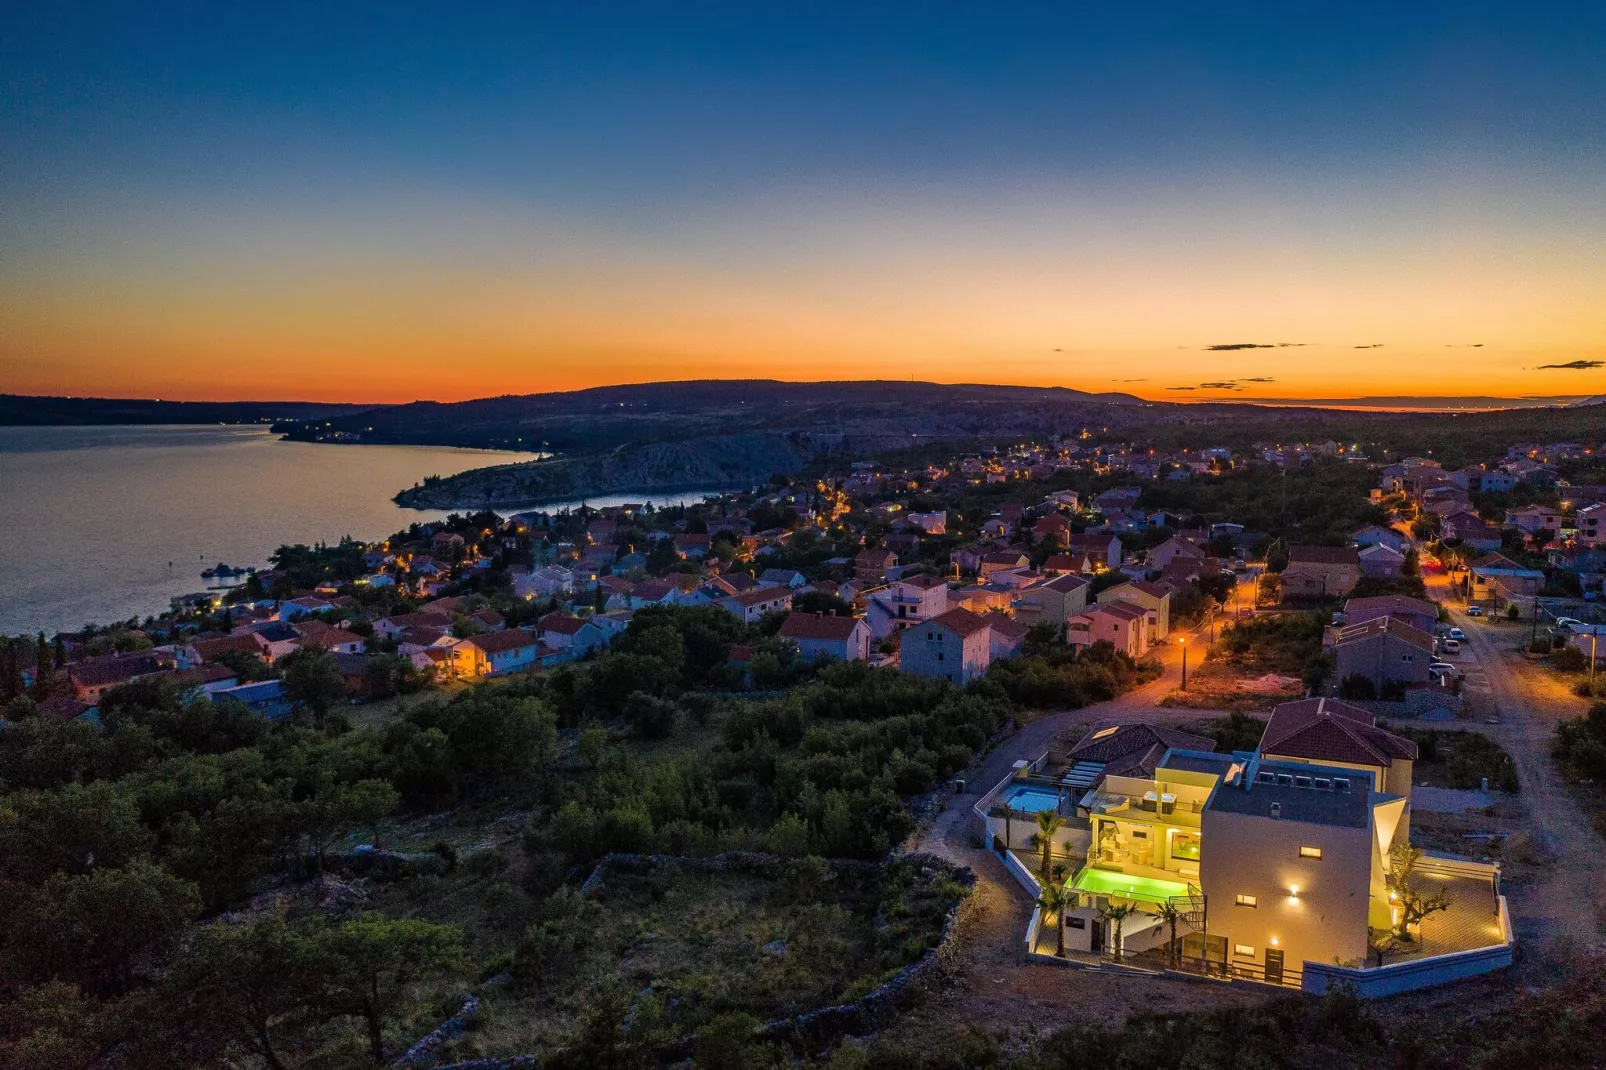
(672, 436)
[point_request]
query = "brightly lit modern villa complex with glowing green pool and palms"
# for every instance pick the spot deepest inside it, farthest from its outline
(1289, 865)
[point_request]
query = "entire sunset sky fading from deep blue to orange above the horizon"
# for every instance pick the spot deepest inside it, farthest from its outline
(452, 202)
